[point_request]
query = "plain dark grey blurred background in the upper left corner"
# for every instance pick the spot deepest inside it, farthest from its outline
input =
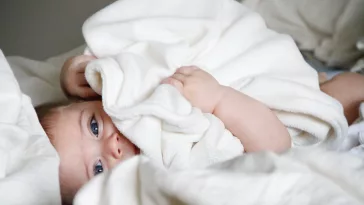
(38, 29)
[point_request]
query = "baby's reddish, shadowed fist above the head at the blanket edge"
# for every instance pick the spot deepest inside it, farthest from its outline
(73, 79)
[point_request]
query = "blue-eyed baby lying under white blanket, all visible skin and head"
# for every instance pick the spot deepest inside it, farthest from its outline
(88, 142)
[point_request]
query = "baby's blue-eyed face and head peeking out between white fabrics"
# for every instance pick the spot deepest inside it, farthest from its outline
(86, 140)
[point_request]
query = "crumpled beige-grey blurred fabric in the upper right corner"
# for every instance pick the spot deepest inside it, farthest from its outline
(330, 28)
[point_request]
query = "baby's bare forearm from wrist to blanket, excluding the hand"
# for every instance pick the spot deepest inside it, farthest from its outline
(257, 127)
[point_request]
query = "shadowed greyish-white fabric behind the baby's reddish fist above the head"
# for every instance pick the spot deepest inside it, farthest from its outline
(40, 80)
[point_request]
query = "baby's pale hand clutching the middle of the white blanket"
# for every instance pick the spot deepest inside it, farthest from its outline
(198, 87)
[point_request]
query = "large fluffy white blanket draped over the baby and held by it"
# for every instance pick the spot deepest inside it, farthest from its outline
(140, 42)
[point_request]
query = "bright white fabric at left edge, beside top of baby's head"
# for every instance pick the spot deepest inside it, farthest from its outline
(28, 161)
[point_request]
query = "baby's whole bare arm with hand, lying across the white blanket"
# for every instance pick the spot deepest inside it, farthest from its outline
(252, 122)
